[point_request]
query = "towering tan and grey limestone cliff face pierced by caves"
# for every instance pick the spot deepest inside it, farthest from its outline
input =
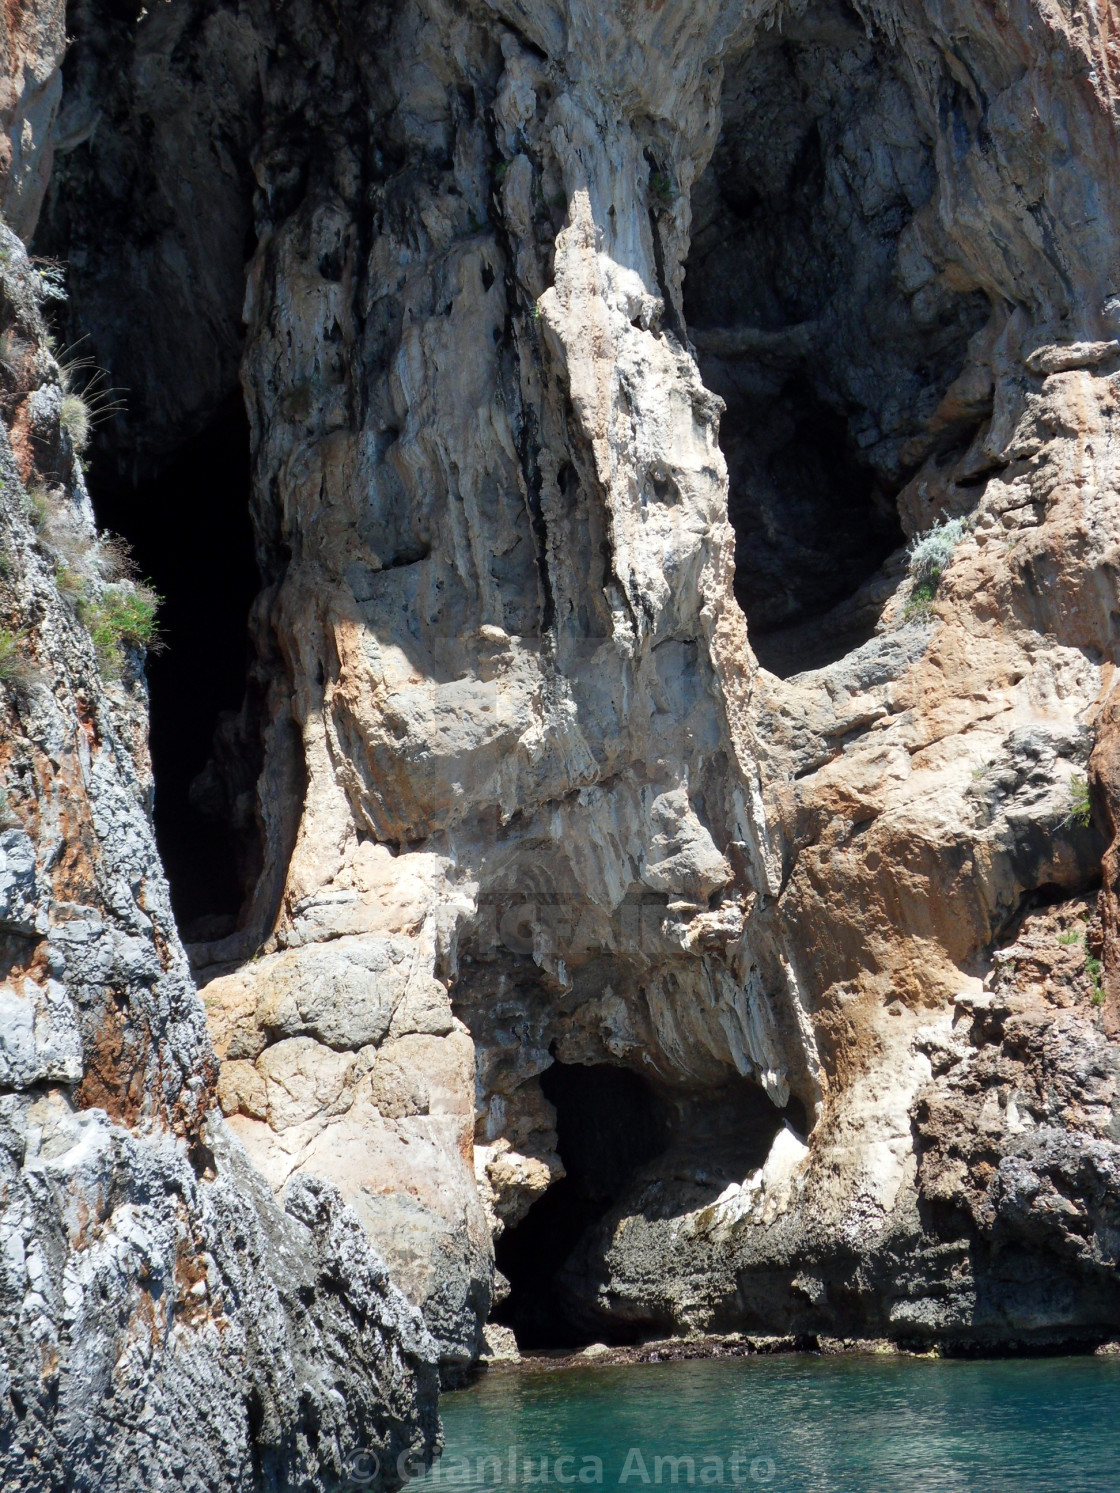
(649, 862)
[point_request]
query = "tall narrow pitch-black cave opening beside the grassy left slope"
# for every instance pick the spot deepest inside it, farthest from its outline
(190, 532)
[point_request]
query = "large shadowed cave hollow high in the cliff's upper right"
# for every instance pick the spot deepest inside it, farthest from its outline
(821, 317)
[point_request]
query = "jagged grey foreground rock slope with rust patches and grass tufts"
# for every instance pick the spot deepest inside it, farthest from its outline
(165, 1321)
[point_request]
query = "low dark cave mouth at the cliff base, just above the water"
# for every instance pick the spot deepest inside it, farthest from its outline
(615, 1129)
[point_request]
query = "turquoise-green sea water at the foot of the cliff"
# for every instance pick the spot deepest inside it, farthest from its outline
(792, 1425)
